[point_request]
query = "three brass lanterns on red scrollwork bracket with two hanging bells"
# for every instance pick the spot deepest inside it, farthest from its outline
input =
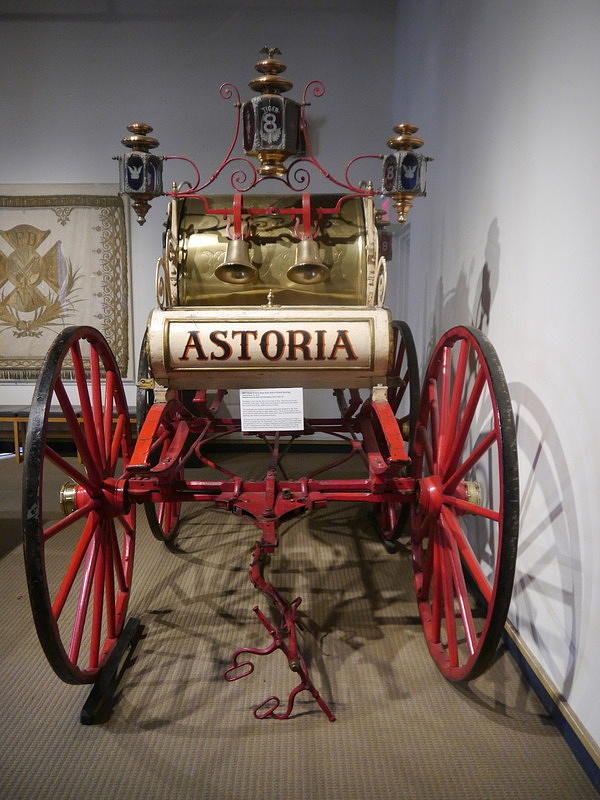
(274, 129)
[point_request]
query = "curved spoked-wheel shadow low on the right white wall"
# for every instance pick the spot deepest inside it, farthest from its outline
(548, 572)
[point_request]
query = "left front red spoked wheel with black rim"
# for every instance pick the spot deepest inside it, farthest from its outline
(79, 529)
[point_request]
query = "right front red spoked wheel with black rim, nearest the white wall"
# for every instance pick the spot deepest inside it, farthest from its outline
(465, 520)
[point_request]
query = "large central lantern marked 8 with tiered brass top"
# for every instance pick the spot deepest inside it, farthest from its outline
(271, 122)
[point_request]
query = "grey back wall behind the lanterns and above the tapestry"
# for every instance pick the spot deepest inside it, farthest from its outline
(75, 73)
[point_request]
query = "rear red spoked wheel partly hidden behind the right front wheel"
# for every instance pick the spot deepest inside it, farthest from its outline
(403, 396)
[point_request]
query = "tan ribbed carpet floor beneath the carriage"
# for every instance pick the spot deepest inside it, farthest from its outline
(180, 731)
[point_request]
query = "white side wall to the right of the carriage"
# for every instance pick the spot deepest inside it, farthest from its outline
(506, 94)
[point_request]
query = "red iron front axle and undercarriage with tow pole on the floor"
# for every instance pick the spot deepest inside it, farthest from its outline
(267, 501)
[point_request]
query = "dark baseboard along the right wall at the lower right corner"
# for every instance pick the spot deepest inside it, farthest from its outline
(583, 746)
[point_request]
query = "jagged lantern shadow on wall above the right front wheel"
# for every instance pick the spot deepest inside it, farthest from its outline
(454, 307)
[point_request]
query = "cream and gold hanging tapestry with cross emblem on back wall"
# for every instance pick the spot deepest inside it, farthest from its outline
(63, 261)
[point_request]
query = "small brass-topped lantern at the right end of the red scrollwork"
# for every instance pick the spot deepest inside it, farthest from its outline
(404, 171)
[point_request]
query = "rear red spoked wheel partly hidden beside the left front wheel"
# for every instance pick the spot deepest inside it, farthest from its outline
(164, 517)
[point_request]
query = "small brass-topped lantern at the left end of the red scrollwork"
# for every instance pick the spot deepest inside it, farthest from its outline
(140, 172)
